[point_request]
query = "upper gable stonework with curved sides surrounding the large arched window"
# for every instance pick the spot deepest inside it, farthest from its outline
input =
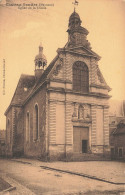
(59, 68)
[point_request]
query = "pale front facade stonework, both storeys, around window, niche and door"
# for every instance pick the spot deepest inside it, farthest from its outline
(98, 136)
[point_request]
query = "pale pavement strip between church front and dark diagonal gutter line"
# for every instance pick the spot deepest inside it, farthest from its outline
(107, 170)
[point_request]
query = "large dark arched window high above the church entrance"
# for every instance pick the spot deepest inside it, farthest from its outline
(80, 77)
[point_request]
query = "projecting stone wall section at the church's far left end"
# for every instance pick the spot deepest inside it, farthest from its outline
(14, 129)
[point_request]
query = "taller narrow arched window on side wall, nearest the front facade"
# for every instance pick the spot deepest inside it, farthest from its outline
(36, 123)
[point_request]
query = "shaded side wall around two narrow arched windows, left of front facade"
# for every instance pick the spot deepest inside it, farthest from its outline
(36, 148)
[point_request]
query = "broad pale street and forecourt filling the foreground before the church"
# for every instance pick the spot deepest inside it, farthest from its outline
(29, 178)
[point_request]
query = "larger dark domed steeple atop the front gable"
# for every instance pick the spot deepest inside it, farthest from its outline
(76, 33)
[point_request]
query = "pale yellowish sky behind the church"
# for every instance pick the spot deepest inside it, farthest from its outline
(22, 30)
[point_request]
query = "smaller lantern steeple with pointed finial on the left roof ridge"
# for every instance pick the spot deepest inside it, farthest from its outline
(40, 62)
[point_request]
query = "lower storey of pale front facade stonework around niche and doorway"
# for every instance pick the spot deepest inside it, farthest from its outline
(98, 138)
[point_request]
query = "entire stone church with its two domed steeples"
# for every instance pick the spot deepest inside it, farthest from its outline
(62, 110)
